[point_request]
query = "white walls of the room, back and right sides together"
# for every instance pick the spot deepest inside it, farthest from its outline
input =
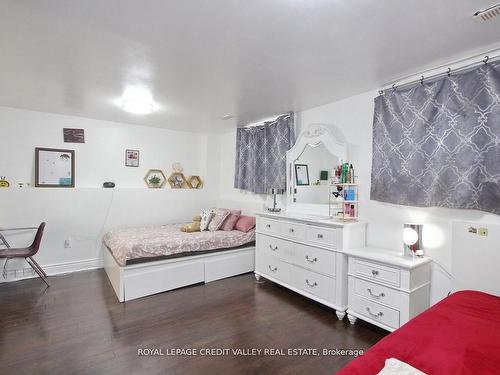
(84, 213)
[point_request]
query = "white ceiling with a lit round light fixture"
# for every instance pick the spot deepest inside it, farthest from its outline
(203, 59)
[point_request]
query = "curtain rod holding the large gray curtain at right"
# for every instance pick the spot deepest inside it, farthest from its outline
(487, 57)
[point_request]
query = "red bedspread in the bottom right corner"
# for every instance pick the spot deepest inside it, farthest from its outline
(459, 335)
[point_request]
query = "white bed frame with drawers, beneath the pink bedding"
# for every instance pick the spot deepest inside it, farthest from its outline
(143, 279)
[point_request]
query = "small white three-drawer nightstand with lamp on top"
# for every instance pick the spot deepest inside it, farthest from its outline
(385, 288)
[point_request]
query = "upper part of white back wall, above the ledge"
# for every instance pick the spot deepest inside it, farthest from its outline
(102, 156)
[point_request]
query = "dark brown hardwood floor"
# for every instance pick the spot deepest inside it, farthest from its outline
(78, 326)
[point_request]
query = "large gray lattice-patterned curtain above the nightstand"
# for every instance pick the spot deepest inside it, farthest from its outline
(438, 144)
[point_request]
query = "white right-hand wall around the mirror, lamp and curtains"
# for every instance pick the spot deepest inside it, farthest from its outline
(352, 119)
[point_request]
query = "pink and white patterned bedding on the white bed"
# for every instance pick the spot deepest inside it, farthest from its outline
(167, 240)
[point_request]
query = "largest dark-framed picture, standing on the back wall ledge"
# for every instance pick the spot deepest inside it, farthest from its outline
(54, 167)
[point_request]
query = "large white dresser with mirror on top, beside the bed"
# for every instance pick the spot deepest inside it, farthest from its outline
(305, 255)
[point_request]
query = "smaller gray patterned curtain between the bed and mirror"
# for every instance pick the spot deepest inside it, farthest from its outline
(261, 154)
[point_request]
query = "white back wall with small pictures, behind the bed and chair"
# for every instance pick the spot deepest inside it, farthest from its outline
(84, 213)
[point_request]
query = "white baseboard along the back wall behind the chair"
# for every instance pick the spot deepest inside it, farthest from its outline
(52, 269)
